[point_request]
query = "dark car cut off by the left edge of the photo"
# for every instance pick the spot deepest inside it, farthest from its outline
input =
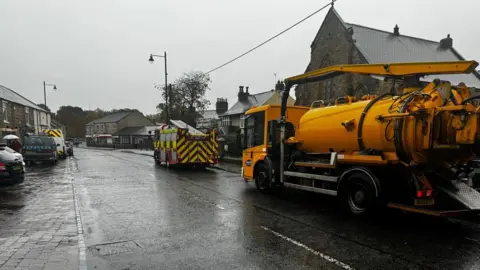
(12, 169)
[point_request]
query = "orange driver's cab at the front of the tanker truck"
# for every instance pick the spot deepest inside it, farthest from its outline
(261, 139)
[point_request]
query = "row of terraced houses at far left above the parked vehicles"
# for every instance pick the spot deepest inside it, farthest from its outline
(19, 112)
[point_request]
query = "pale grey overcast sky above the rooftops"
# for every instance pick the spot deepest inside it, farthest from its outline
(96, 51)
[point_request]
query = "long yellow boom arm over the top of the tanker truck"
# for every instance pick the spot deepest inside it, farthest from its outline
(391, 70)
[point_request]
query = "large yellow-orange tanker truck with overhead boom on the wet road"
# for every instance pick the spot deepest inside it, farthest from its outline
(412, 150)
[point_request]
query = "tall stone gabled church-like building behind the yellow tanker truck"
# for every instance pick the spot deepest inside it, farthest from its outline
(338, 42)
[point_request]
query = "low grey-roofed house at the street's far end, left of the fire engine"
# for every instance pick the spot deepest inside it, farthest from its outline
(112, 123)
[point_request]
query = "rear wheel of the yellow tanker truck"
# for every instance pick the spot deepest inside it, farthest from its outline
(359, 194)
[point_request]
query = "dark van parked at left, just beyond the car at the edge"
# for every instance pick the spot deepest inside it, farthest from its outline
(40, 148)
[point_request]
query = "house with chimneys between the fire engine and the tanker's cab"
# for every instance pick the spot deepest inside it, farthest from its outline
(234, 116)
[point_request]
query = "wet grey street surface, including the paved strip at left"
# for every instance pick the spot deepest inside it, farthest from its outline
(116, 210)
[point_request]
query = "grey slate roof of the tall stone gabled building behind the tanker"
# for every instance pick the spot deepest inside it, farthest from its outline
(379, 46)
